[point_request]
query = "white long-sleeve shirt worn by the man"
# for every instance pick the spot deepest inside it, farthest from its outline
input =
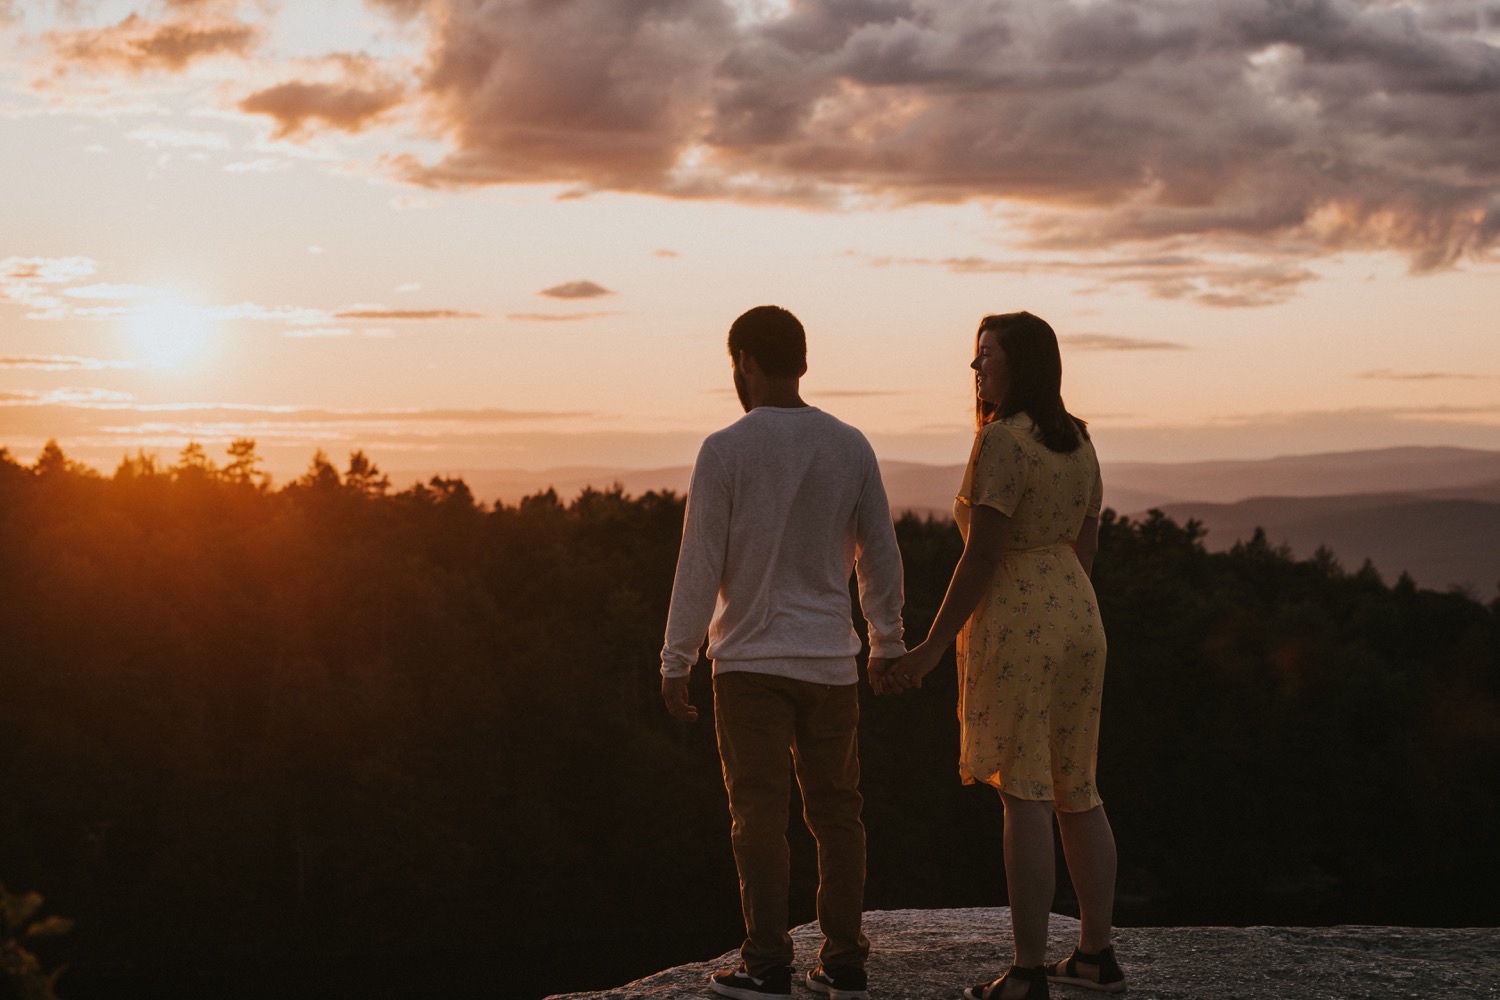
(782, 506)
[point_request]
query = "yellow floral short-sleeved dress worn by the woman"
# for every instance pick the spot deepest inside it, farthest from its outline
(1031, 657)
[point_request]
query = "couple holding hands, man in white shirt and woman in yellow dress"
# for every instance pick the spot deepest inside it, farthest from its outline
(782, 506)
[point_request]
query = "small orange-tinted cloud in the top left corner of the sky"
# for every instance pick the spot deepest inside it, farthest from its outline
(139, 46)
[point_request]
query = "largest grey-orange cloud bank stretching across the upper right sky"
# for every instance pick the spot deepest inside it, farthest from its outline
(1331, 124)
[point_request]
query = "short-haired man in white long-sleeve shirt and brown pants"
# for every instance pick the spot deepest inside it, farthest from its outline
(782, 506)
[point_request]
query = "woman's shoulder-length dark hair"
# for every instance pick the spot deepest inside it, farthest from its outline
(1034, 367)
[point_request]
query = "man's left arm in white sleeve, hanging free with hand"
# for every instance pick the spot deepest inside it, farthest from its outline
(695, 588)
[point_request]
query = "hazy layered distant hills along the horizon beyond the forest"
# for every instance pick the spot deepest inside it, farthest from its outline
(1430, 512)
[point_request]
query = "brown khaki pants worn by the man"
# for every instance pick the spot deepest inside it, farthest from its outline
(761, 720)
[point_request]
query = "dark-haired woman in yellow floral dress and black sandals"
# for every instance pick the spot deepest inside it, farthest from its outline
(1031, 650)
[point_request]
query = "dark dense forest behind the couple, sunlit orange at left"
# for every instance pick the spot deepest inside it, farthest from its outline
(337, 738)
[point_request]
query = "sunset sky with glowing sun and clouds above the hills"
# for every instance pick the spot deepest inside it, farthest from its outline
(479, 235)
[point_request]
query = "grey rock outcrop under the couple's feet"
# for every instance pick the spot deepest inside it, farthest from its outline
(935, 954)
